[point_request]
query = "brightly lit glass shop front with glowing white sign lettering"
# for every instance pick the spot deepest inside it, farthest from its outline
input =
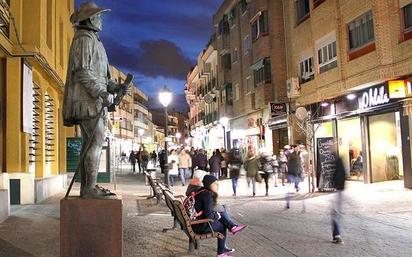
(370, 131)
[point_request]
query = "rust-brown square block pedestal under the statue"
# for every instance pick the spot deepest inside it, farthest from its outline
(91, 228)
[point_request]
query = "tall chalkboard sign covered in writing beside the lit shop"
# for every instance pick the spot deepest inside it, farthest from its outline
(326, 168)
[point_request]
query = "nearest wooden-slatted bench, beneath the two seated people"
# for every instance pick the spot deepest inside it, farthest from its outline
(186, 225)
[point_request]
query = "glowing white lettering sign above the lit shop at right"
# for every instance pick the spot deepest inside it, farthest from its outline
(373, 97)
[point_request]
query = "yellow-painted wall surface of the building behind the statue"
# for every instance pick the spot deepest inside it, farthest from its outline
(38, 22)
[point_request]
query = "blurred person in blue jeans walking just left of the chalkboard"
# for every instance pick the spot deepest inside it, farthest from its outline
(294, 172)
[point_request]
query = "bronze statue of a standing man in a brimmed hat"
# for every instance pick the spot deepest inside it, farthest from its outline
(88, 92)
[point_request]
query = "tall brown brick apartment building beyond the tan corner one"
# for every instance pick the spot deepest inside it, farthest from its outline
(251, 71)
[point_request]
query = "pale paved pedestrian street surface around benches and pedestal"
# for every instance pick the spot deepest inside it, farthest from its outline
(377, 221)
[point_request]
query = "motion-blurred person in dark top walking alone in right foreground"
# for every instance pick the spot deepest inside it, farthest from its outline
(339, 181)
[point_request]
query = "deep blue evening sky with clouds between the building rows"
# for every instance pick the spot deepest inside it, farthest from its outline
(157, 40)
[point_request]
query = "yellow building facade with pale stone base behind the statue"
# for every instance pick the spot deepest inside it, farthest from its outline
(32, 74)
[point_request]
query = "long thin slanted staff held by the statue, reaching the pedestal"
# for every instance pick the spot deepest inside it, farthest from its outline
(119, 96)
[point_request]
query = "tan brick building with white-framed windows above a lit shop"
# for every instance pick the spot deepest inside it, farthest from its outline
(349, 65)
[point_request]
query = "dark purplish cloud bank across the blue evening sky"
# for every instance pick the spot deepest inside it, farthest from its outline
(151, 58)
